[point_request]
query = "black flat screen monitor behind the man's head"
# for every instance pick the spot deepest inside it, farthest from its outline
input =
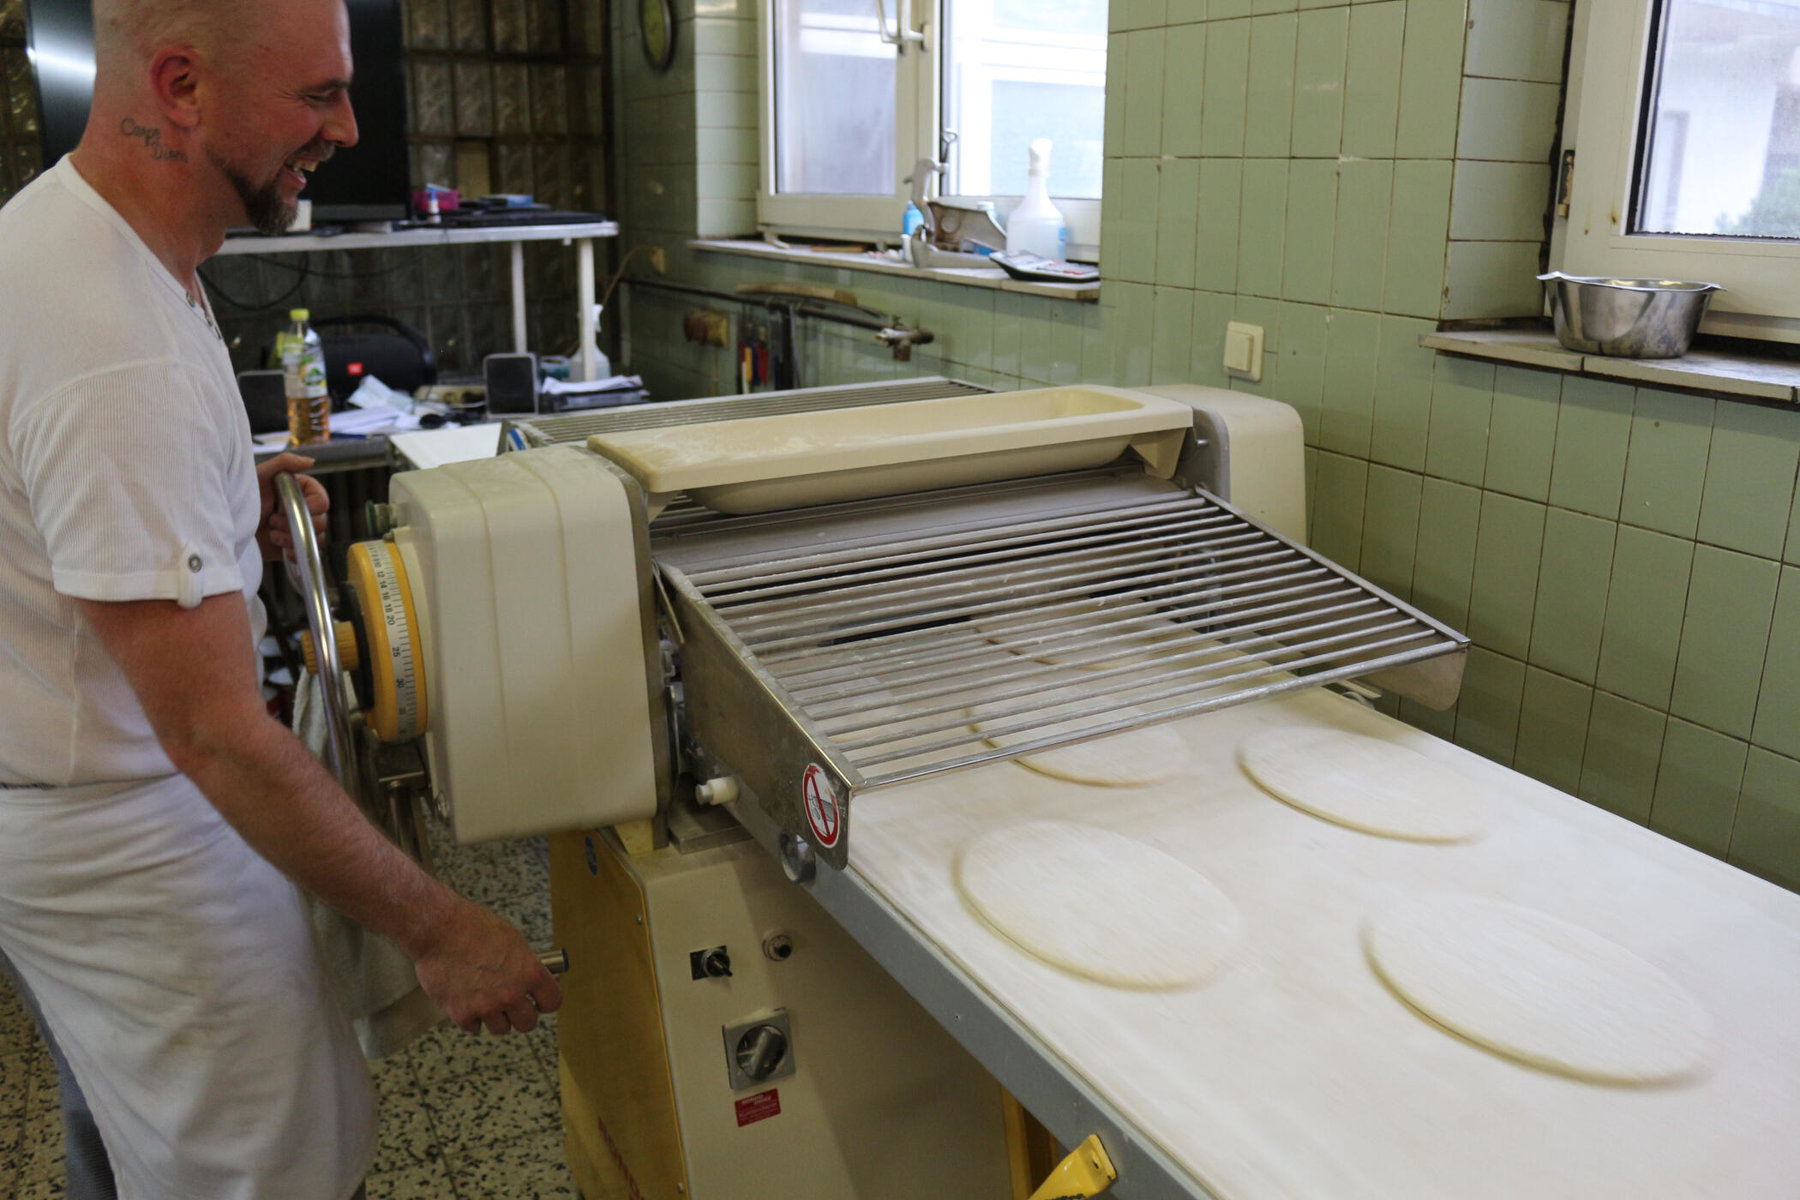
(368, 183)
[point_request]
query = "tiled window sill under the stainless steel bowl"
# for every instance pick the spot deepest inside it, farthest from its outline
(1716, 373)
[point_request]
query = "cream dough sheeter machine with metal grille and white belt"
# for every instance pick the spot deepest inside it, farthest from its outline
(766, 667)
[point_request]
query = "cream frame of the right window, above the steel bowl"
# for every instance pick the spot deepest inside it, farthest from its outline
(1605, 111)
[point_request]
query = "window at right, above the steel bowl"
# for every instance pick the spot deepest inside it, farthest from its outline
(1686, 125)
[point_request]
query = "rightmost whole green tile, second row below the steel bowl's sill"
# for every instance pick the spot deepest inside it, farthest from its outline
(1723, 640)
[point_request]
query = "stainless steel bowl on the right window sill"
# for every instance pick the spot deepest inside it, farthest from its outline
(1626, 318)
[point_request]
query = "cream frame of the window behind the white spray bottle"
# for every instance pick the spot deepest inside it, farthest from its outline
(919, 116)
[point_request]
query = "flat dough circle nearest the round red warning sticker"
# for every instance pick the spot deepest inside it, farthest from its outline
(1099, 904)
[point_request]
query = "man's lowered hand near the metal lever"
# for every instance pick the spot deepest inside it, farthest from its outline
(481, 972)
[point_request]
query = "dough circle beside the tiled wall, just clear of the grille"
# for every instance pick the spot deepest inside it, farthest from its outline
(1365, 784)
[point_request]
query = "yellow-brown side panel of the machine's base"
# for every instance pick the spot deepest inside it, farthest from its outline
(616, 1095)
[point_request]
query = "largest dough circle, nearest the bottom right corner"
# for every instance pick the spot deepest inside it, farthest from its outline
(1540, 990)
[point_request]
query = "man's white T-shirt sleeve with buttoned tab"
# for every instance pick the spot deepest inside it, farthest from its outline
(129, 490)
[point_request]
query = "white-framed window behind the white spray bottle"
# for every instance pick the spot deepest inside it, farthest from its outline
(856, 93)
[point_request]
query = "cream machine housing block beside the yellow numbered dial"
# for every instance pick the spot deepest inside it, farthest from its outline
(537, 670)
